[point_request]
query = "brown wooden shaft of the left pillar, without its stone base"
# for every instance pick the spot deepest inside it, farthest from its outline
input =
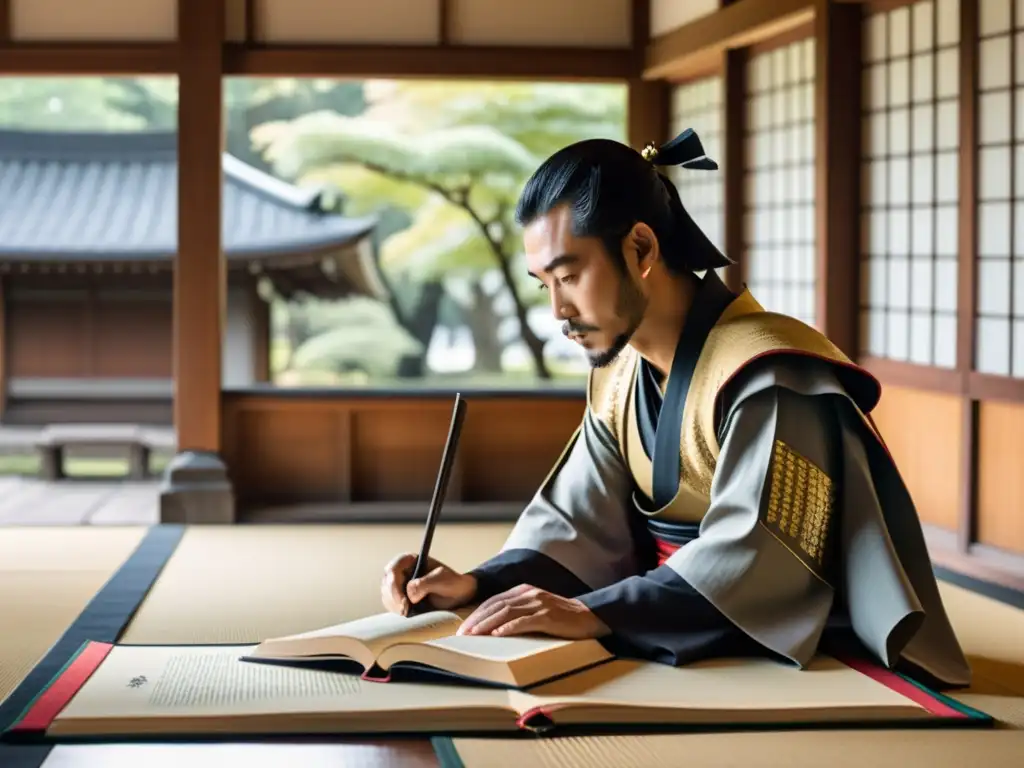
(200, 268)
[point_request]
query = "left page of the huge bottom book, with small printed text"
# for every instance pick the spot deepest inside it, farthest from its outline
(149, 681)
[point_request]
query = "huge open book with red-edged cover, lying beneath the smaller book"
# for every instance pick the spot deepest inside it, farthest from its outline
(157, 692)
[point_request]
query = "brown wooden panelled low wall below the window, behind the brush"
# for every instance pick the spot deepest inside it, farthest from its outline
(378, 447)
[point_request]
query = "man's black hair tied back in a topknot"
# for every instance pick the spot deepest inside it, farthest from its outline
(611, 187)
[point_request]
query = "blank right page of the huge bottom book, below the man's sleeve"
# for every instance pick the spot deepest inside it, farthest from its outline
(732, 685)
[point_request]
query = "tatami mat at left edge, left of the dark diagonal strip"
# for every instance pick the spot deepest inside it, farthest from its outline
(48, 577)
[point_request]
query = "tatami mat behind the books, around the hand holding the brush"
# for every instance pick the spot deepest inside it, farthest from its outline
(246, 584)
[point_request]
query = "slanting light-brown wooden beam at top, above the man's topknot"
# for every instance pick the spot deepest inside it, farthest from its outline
(737, 25)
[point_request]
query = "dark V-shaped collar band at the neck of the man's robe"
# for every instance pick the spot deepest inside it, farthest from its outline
(712, 300)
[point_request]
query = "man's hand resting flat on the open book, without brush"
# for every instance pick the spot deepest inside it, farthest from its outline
(527, 610)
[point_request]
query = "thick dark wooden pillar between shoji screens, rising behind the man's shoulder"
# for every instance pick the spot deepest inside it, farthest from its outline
(837, 107)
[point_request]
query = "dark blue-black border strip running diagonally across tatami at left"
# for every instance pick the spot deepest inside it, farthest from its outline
(103, 621)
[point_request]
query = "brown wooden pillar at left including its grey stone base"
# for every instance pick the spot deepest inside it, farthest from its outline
(197, 489)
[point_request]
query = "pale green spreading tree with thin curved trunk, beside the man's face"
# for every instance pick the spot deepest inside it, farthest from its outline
(476, 170)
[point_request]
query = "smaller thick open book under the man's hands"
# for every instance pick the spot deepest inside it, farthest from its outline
(391, 648)
